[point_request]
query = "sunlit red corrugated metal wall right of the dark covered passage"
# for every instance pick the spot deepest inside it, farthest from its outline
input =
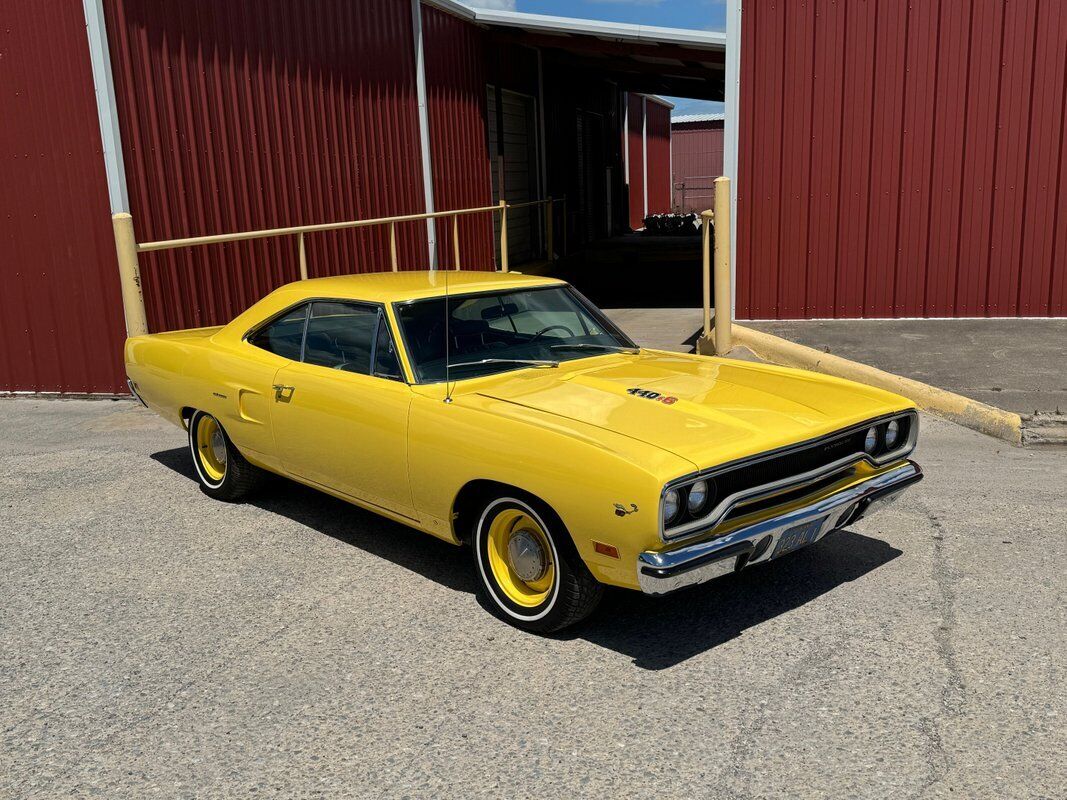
(903, 159)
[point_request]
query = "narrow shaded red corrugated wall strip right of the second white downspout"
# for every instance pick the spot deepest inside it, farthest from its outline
(456, 102)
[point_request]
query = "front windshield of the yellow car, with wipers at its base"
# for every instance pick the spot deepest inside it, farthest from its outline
(498, 332)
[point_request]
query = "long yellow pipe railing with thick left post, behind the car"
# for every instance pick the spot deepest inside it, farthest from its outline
(128, 247)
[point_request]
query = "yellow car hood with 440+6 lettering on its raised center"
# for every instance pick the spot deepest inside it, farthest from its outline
(707, 411)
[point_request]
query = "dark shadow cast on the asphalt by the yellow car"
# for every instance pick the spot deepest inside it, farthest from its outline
(657, 633)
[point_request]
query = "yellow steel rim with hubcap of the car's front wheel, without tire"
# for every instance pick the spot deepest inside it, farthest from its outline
(521, 557)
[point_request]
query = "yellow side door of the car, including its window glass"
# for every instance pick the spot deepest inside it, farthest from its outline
(341, 414)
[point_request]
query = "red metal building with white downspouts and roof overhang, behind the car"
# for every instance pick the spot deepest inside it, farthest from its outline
(204, 118)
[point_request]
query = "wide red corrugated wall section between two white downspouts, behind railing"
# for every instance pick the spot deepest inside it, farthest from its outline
(264, 114)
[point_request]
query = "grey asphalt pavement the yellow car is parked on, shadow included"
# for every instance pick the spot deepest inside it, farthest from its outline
(157, 644)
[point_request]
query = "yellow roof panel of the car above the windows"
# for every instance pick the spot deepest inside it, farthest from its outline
(396, 287)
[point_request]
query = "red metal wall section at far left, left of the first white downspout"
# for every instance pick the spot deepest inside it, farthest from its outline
(60, 310)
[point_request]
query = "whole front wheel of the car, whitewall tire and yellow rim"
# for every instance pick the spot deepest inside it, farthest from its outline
(530, 572)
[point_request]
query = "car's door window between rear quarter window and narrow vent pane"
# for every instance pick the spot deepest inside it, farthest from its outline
(340, 335)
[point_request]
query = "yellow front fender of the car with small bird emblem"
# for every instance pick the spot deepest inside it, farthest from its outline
(582, 472)
